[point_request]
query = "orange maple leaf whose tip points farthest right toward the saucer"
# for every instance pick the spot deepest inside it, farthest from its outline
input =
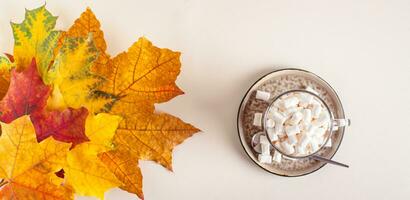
(153, 137)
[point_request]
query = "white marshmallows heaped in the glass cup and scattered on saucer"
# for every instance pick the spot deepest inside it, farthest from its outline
(297, 124)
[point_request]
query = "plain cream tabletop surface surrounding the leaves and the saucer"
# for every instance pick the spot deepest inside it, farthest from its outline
(361, 47)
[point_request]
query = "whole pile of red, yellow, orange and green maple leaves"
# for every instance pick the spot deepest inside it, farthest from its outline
(75, 120)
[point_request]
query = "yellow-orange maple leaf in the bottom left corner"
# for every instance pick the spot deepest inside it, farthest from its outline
(28, 167)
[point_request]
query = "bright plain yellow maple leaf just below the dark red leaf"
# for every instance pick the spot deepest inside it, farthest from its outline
(84, 171)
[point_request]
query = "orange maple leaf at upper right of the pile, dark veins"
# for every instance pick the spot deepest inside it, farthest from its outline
(144, 73)
